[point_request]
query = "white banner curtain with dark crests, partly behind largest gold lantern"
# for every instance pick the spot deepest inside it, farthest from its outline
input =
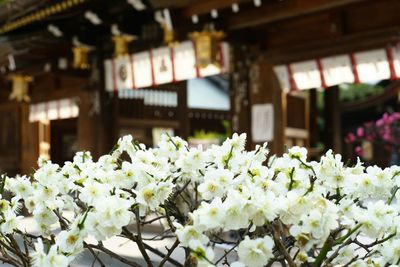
(159, 66)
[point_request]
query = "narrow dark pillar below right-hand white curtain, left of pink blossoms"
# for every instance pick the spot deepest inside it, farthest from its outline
(332, 119)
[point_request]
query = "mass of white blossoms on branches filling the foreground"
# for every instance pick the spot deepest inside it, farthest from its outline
(266, 209)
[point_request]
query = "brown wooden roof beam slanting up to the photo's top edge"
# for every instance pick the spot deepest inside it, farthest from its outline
(276, 11)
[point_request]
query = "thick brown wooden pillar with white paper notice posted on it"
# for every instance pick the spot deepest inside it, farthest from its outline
(255, 82)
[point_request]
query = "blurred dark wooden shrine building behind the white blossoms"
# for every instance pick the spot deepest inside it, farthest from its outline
(77, 74)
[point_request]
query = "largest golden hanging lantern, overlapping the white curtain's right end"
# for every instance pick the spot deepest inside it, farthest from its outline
(206, 45)
